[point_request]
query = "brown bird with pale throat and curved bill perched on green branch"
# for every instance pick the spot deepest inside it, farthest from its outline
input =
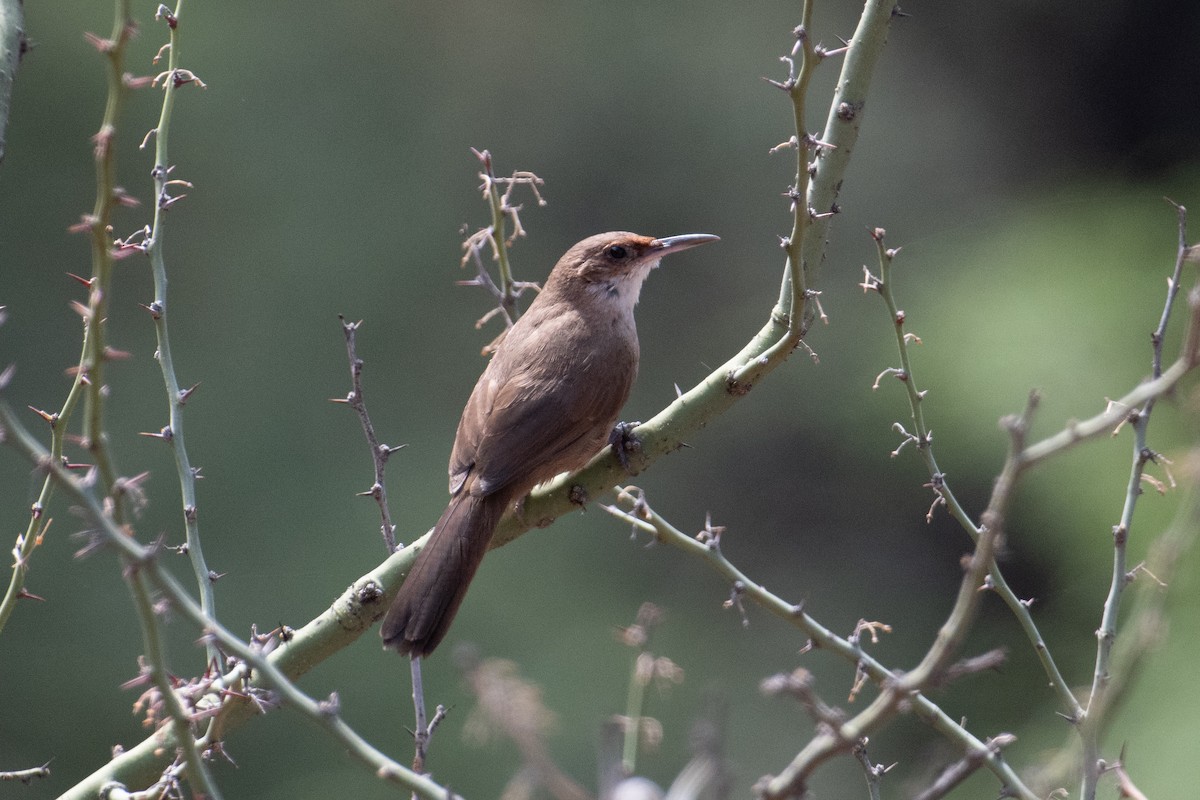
(545, 405)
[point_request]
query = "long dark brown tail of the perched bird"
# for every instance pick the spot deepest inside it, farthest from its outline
(431, 594)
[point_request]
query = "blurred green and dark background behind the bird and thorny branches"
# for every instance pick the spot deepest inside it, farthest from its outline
(1018, 154)
